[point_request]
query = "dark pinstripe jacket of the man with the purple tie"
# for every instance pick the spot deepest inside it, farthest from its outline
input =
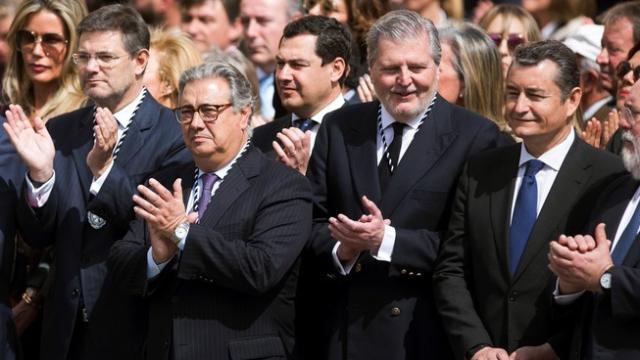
(230, 294)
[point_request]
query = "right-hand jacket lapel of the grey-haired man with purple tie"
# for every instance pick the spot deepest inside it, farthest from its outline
(232, 186)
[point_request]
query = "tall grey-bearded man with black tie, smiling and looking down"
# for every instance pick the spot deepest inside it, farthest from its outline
(381, 197)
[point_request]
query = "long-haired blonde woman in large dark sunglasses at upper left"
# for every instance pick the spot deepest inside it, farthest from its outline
(40, 74)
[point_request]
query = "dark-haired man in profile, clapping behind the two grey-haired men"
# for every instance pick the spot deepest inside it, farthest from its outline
(311, 67)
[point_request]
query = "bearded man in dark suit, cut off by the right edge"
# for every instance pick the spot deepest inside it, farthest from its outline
(599, 275)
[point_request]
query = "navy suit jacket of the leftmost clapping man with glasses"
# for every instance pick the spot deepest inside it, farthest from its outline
(116, 324)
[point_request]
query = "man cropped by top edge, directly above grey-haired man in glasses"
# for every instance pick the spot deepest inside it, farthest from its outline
(211, 23)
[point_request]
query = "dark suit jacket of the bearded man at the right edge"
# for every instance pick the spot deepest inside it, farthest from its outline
(609, 325)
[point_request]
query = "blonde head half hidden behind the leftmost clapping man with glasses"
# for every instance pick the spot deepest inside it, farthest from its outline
(171, 53)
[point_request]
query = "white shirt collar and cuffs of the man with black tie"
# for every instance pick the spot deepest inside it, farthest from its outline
(385, 251)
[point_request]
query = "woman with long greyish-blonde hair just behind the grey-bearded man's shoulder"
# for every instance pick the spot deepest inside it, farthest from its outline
(471, 72)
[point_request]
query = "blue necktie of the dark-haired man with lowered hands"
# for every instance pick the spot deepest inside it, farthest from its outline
(524, 214)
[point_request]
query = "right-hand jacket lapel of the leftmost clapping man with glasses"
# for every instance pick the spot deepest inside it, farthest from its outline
(141, 122)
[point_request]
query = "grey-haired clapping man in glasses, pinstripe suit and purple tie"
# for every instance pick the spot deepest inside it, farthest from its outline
(220, 278)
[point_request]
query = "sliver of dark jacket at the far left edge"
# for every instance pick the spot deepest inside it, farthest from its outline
(11, 174)
